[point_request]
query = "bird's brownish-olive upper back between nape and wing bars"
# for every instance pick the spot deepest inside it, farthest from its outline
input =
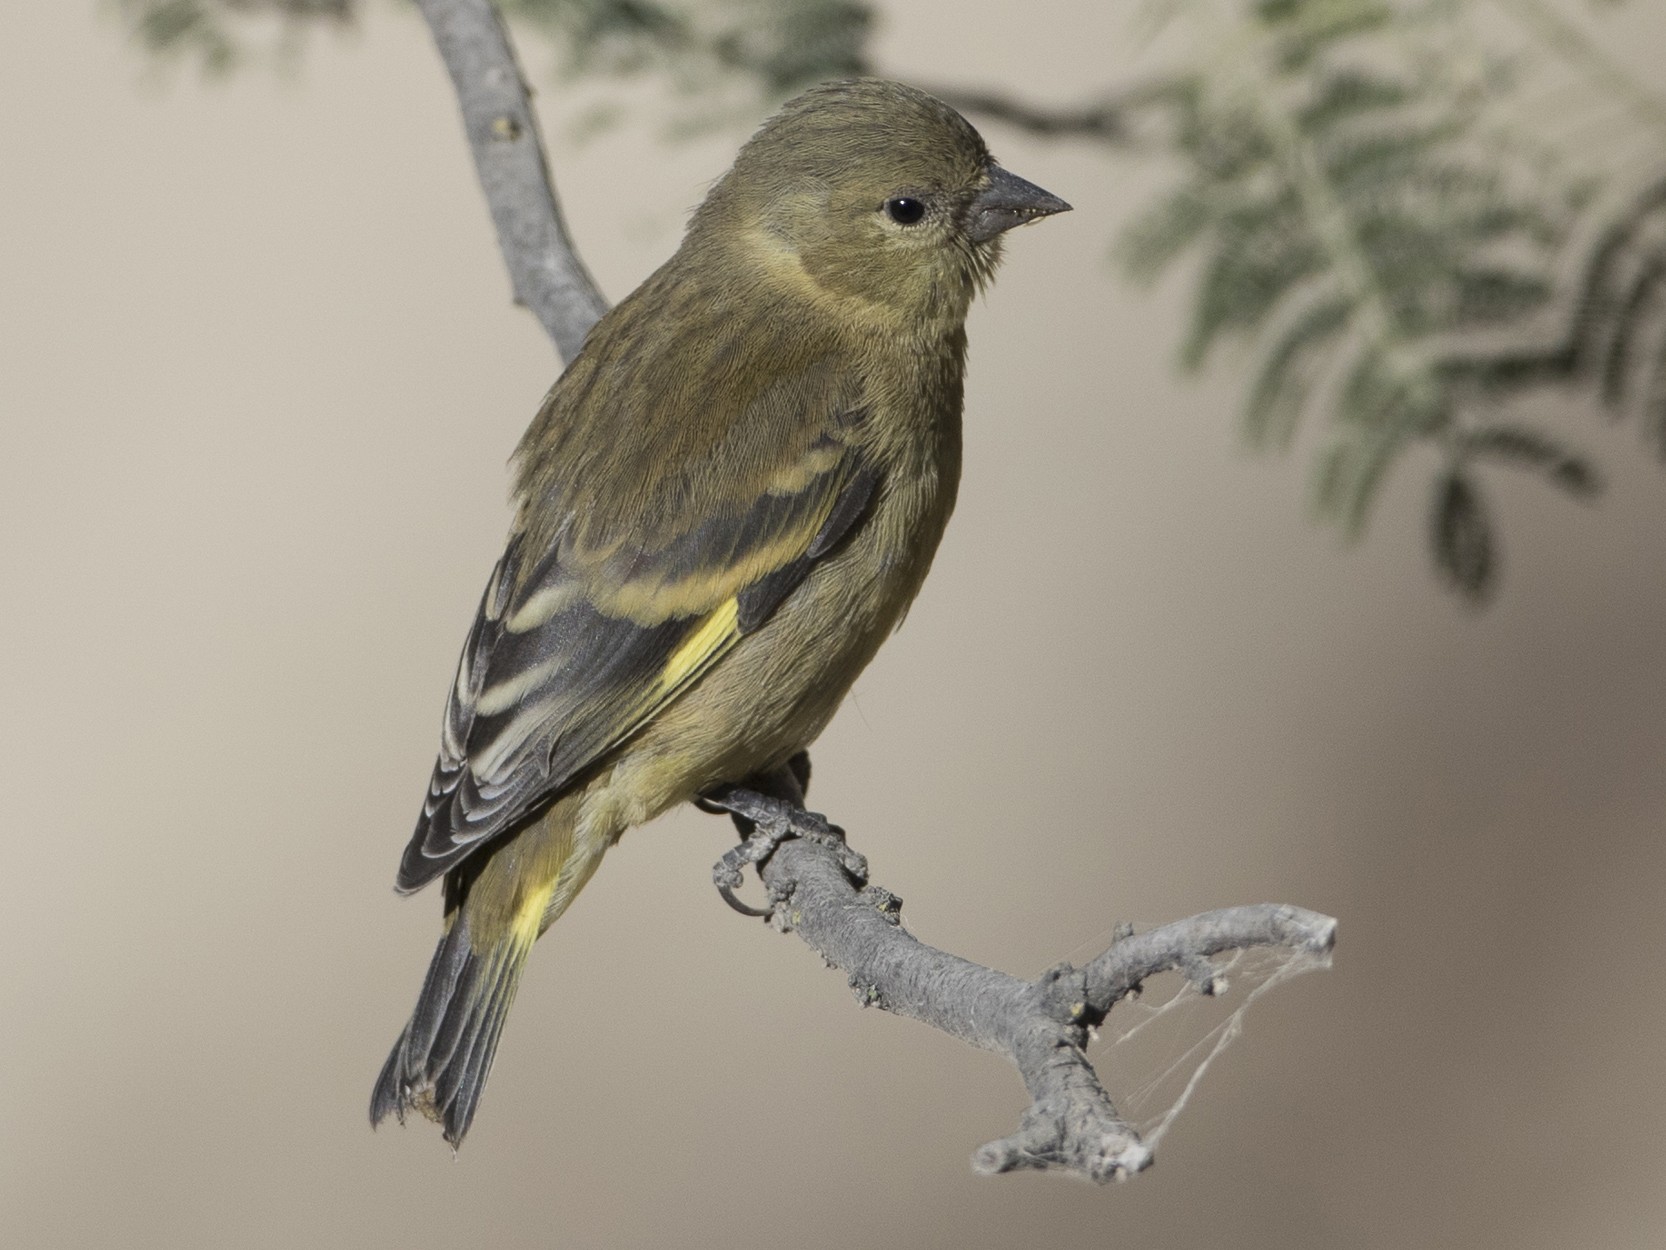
(691, 402)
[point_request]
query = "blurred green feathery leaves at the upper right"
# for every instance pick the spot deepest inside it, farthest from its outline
(1375, 206)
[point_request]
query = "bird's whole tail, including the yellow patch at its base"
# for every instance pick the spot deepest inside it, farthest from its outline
(496, 914)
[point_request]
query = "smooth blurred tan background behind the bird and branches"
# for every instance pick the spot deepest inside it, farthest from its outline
(259, 377)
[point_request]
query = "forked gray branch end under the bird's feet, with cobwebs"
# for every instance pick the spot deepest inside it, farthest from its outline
(1044, 1027)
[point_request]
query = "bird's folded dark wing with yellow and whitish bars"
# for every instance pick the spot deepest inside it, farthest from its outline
(581, 644)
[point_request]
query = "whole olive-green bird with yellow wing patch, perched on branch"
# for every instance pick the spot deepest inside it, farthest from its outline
(724, 507)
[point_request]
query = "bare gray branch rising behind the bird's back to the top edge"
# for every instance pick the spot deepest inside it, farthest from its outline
(514, 172)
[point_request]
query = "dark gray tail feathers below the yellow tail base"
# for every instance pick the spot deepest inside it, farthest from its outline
(441, 1064)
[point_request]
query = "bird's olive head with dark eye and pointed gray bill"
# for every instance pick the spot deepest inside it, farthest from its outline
(875, 199)
